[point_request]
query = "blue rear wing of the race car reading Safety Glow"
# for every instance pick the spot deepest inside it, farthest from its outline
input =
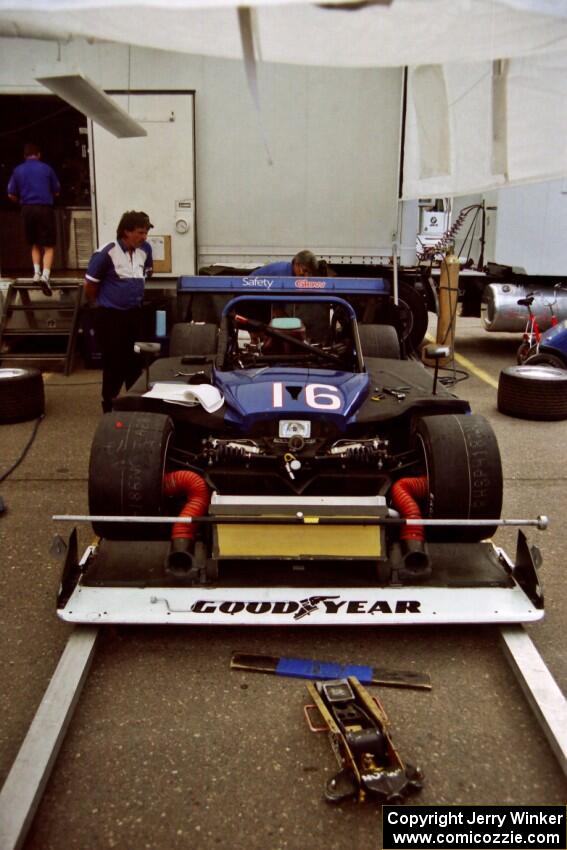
(268, 283)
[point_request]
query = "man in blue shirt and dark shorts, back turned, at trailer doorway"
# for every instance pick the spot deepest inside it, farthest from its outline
(34, 185)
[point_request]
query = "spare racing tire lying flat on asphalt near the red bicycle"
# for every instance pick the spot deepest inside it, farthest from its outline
(533, 392)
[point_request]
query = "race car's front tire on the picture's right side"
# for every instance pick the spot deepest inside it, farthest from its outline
(464, 474)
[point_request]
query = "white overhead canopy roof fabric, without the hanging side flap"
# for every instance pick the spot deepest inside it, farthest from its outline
(405, 32)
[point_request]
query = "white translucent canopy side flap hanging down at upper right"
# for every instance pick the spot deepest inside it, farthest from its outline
(506, 123)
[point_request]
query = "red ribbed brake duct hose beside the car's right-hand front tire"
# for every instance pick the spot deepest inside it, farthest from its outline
(404, 495)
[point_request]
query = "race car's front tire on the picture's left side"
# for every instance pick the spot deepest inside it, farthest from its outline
(126, 470)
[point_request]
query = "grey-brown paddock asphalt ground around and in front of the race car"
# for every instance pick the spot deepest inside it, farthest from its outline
(169, 748)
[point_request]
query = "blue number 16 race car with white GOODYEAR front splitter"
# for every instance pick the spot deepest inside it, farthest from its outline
(288, 465)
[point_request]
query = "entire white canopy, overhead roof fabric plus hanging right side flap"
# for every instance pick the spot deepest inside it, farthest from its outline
(487, 80)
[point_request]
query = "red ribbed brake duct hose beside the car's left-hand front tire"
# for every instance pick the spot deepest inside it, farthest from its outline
(193, 487)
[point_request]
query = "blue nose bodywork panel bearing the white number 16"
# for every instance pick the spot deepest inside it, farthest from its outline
(263, 394)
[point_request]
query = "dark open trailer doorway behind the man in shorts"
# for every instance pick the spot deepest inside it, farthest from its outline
(61, 133)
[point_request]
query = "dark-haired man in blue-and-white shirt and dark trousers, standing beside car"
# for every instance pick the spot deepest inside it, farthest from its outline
(115, 278)
